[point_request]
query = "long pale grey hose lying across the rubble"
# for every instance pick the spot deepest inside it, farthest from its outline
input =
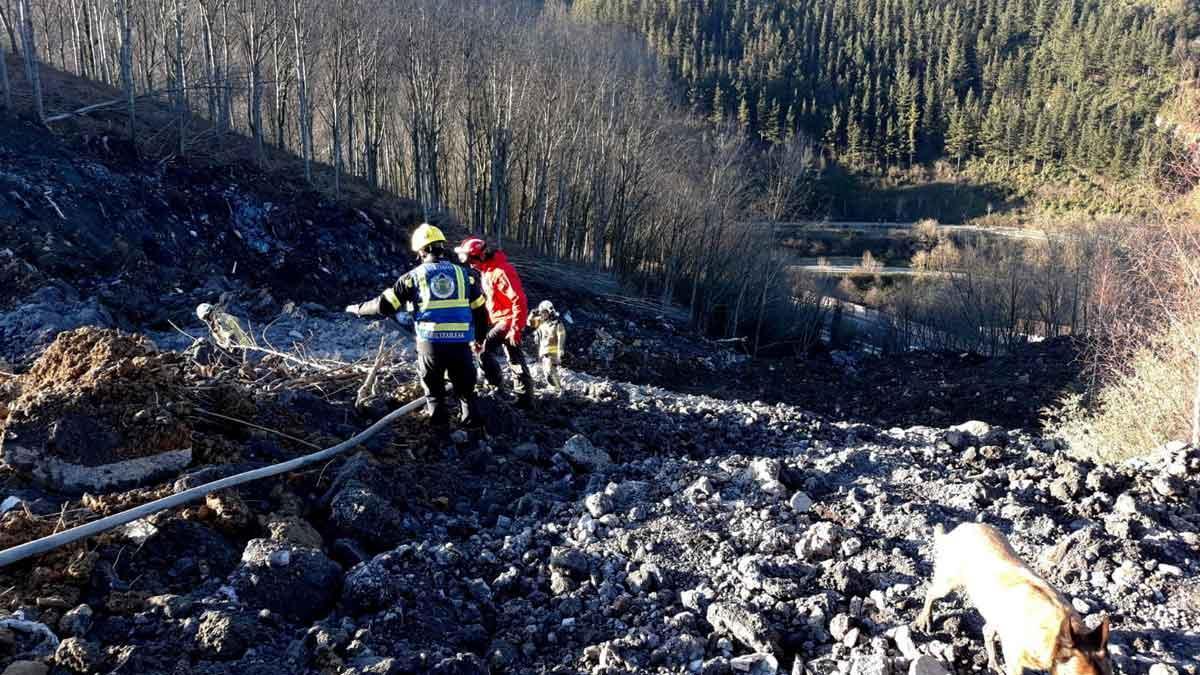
(52, 542)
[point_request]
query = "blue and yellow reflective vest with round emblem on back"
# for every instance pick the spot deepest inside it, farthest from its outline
(443, 313)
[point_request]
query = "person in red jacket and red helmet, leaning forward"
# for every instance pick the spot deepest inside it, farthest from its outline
(508, 312)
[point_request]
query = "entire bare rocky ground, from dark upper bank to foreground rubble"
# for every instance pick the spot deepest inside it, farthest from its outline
(656, 518)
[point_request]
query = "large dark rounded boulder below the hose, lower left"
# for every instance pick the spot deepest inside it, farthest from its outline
(304, 589)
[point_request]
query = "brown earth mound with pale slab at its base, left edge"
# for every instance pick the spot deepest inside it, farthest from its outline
(99, 411)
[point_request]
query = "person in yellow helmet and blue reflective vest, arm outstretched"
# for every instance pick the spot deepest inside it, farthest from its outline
(449, 310)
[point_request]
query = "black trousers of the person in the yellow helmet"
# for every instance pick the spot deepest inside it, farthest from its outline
(435, 362)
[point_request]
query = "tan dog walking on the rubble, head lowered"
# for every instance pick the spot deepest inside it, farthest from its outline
(1037, 629)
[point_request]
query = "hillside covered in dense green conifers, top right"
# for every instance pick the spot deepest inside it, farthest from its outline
(895, 82)
